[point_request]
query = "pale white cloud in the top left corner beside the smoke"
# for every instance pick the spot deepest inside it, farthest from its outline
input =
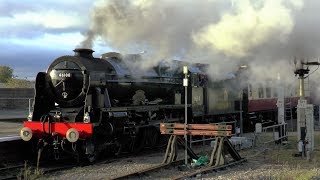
(35, 18)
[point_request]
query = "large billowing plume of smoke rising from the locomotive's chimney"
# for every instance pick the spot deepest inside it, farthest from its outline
(221, 33)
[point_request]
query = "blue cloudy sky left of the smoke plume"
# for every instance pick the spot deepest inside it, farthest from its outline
(33, 33)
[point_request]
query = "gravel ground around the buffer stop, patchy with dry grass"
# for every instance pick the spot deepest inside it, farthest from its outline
(272, 163)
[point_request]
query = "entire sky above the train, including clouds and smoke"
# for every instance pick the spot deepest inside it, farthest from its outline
(267, 34)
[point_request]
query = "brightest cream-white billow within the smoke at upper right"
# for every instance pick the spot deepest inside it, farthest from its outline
(248, 25)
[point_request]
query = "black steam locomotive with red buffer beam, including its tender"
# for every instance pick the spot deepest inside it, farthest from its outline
(88, 105)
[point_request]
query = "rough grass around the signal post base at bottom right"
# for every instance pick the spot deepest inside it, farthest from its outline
(282, 163)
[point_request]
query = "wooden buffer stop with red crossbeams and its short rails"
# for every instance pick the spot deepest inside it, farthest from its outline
(218, 155)
